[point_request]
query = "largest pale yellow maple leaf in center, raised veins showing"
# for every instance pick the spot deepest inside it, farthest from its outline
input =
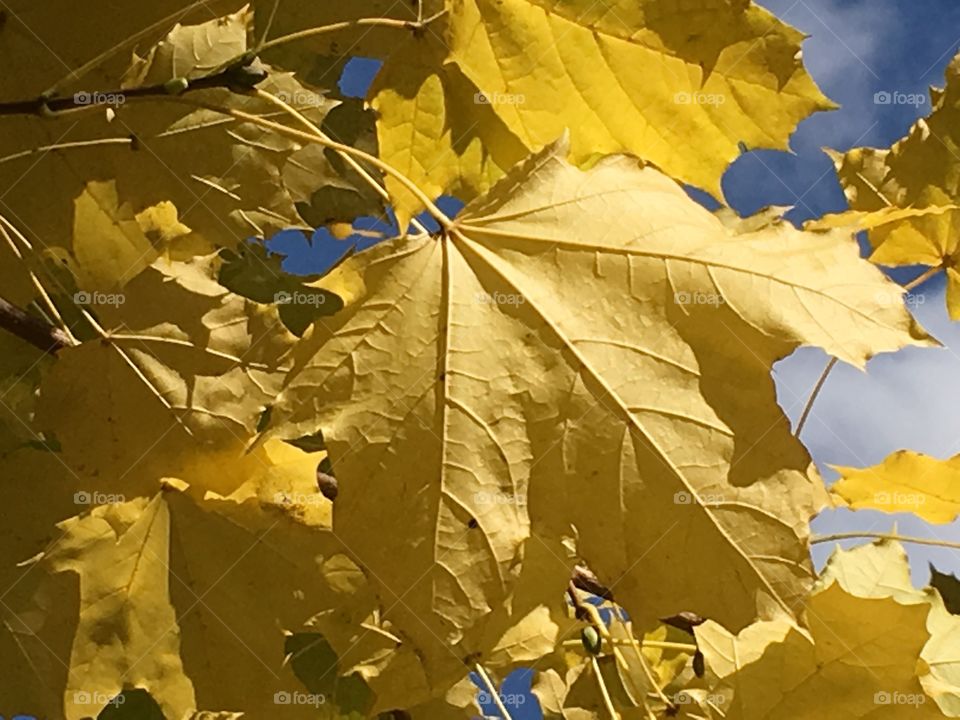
(573, 353)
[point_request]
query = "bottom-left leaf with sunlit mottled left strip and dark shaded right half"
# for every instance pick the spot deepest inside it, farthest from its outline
(131, 602)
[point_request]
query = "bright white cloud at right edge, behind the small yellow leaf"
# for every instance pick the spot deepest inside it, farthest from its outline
(907, 400)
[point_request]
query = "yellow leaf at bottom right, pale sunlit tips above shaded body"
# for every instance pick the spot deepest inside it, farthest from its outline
(839, 666)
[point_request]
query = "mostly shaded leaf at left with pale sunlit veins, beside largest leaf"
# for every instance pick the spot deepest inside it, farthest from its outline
(182, 366)
